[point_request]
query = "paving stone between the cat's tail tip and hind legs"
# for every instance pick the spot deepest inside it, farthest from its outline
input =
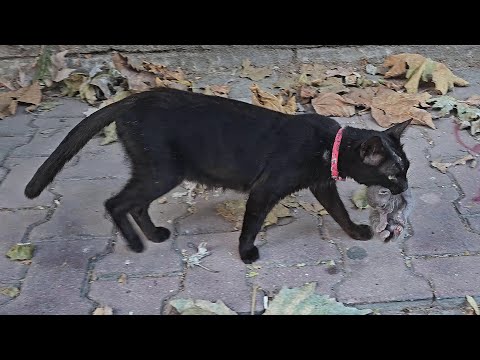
(81, 210)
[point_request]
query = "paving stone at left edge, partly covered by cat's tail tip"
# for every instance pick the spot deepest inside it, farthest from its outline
(13, 186)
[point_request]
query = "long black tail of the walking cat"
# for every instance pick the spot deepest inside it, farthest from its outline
(73, 142)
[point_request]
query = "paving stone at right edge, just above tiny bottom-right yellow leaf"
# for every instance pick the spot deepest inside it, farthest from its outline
(451, 276)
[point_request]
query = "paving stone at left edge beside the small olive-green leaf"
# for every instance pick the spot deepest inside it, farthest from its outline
(13, 225)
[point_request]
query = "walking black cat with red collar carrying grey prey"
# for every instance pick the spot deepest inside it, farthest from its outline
(171, 135)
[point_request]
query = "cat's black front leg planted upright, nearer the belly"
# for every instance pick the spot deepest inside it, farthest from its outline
(258, 206)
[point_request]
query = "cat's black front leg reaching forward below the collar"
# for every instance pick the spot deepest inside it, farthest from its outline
(328, 196)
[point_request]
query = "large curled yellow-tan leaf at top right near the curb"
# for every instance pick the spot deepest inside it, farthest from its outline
(416, 68)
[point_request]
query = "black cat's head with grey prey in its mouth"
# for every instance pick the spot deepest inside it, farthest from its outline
(383, 161)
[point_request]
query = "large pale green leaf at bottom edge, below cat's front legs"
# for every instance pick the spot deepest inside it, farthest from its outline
(304, 301)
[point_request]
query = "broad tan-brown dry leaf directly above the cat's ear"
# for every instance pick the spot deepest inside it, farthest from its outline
(390, 107)
